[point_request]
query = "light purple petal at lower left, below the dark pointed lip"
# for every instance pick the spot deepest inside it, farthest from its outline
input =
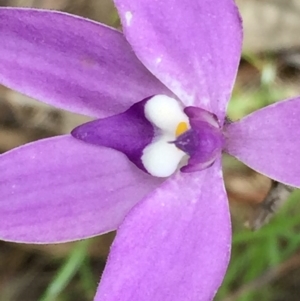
(62, 189)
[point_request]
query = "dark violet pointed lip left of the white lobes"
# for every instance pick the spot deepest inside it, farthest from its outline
(129, 132)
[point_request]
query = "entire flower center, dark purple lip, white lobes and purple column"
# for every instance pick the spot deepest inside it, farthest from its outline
(159, 136)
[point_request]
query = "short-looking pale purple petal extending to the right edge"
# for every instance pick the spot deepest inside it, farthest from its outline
(268, 140)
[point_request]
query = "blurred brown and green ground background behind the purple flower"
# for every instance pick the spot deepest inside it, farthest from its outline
(265, 264)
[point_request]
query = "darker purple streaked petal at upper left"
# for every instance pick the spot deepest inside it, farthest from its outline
(71, 62)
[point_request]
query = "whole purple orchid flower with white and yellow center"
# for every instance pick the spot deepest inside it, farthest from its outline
(161, 91)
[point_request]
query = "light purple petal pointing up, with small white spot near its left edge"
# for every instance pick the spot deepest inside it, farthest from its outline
(192, 46)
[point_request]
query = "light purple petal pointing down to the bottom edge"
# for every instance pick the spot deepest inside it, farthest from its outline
(174, 245)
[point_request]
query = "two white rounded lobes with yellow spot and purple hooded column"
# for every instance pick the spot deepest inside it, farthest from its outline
(180, 133)
